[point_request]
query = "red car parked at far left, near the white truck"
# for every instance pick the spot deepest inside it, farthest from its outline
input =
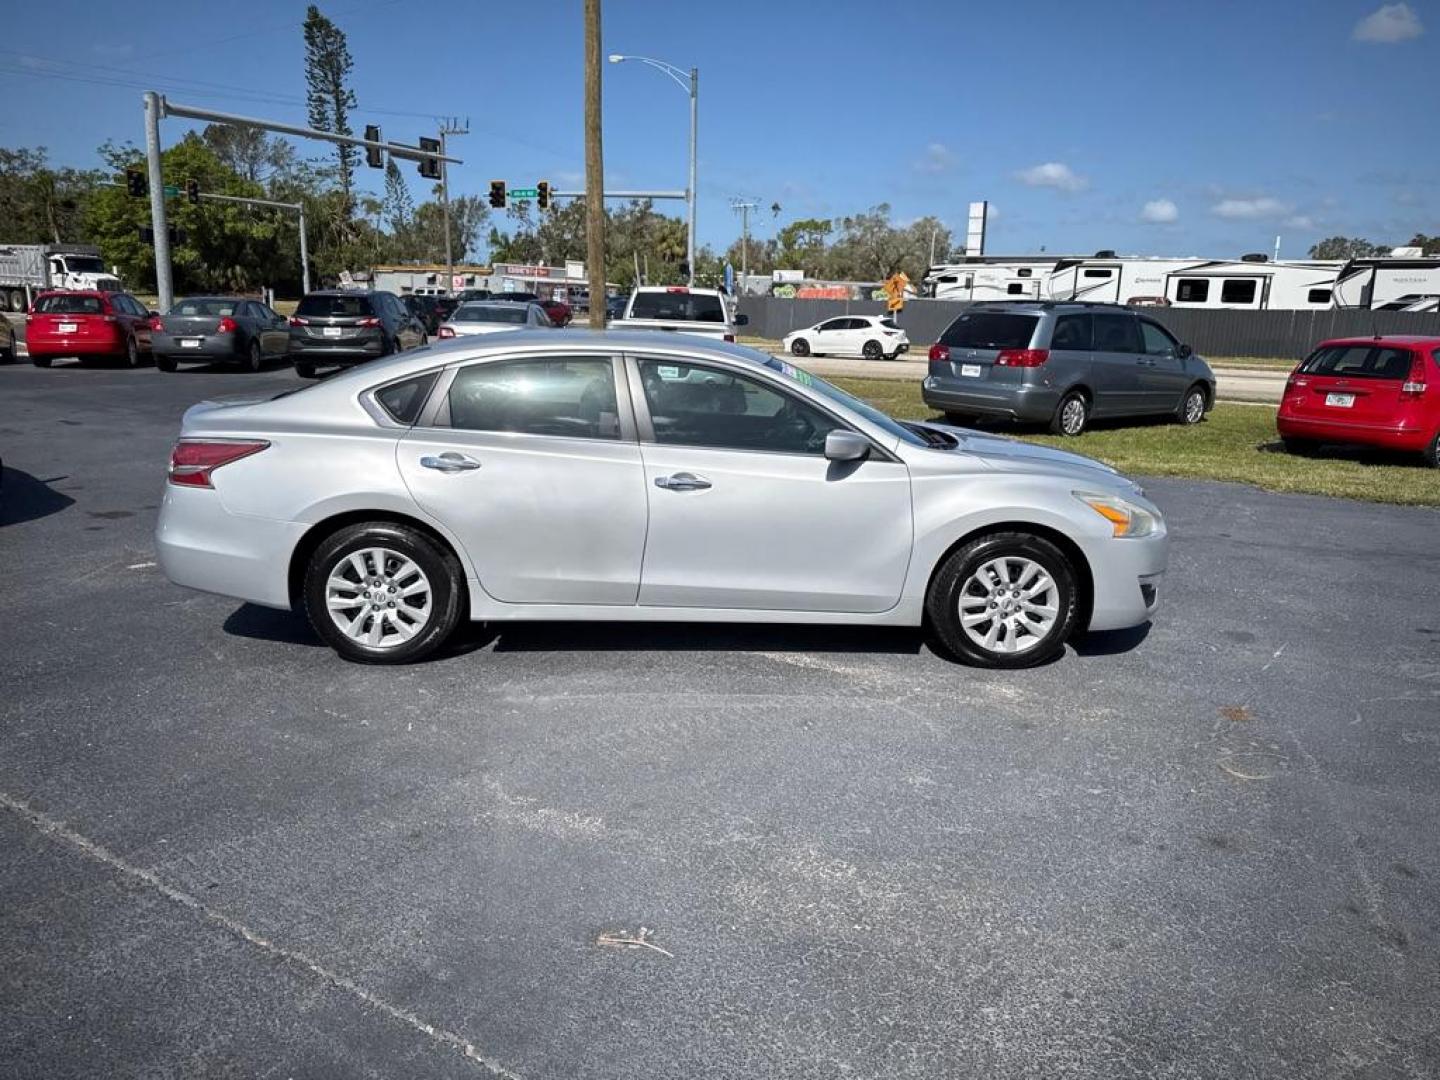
(87, 325)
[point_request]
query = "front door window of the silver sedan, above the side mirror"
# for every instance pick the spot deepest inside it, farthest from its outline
(708, 407)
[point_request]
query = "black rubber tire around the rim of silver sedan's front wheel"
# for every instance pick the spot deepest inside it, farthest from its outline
(967, 562)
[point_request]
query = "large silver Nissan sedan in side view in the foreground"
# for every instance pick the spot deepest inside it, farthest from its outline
(643, 477)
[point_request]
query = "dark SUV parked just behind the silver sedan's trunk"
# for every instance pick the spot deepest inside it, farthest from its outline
(341, 329)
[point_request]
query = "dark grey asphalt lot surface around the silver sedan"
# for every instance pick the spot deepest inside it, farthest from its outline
(1205, 852)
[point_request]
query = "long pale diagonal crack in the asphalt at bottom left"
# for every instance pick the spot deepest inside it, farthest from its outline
(60, 832)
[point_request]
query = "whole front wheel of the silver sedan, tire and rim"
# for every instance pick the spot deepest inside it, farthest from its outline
(1004, 601)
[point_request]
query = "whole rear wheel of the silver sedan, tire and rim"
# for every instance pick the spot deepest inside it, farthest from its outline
(384, 594)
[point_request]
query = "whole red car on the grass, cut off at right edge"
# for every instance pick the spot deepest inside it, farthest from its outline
(1369, 391)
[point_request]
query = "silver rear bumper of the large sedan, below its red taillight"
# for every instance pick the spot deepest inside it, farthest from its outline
(204, 546)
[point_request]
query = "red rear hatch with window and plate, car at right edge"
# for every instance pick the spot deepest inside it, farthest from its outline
(1362, 385)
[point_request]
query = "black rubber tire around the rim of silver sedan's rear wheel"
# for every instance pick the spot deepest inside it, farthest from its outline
(447, 597)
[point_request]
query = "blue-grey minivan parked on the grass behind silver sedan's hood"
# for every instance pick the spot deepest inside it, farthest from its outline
(1063, 365)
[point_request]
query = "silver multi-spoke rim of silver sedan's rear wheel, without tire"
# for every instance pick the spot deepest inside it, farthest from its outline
(379, 598)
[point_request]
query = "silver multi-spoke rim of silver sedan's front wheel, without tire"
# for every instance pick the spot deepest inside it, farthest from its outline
(1009, 606)
